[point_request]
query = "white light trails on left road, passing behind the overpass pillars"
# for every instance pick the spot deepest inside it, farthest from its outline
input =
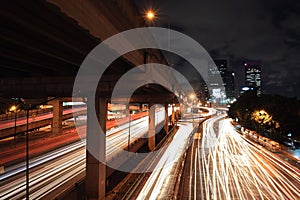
(53, 170)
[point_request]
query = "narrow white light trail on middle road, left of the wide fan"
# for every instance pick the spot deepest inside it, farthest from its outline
(161, 184)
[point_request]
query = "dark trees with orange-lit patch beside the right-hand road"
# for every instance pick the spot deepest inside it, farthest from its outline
(269, 114)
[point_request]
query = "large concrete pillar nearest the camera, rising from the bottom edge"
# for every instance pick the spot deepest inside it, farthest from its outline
(95, 169)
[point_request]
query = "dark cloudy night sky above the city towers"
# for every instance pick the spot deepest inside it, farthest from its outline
(258, 30)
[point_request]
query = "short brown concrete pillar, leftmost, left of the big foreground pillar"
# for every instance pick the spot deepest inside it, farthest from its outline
(57, 116)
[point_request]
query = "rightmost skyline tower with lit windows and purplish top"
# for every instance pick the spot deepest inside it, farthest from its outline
(253, 76)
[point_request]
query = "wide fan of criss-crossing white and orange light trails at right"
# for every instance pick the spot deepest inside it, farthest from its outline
(233, 168)
